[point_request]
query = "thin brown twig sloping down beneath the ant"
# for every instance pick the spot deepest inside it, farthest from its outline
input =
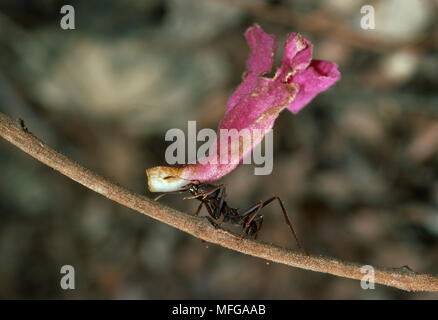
(15, 132)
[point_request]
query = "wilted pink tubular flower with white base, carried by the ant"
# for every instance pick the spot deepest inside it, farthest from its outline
(255, 105)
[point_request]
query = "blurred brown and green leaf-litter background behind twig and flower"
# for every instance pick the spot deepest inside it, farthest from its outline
(357, 169)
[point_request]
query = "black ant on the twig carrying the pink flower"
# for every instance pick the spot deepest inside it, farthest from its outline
(213, 198)
